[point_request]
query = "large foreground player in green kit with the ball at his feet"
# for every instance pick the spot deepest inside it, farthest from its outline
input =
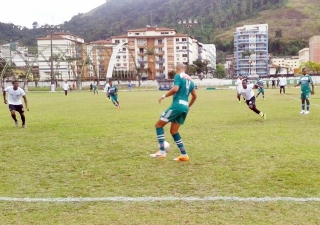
(176, 113)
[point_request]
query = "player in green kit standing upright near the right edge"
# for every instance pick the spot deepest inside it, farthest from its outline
(305, 82)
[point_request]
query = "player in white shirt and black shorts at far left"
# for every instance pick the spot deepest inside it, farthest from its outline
(15, 93)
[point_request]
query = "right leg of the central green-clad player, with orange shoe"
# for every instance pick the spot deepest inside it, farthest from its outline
(174, 130)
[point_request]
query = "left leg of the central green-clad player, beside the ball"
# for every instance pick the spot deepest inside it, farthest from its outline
(164, 119)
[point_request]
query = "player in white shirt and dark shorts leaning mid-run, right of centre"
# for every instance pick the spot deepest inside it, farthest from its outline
(248, 93)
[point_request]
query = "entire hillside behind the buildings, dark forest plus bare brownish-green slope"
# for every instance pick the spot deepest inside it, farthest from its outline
(291, 22)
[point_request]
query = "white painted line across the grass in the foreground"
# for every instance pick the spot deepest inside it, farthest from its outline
(163, 199)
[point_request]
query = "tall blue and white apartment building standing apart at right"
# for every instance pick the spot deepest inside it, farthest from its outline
(251, 50)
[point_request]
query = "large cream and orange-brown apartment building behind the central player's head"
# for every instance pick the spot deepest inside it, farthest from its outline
(155, 50)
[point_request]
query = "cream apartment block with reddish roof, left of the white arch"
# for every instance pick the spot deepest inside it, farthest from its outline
(69, 52)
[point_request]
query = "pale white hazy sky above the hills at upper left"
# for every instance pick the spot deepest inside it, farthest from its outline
(25, 12)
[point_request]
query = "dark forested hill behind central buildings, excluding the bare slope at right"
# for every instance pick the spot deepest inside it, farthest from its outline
(117, 16)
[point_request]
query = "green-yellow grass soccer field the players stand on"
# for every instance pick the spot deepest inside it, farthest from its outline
(82, 146)
